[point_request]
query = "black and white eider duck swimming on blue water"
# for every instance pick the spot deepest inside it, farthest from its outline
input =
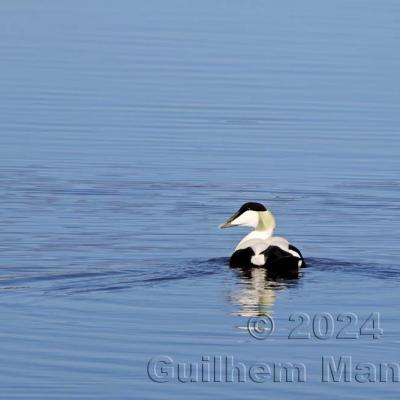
(259, 248)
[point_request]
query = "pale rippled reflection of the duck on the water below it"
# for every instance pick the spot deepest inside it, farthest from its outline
(256, 290)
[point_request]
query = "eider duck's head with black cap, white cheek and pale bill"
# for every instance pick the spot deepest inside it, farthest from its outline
(253, 215)
